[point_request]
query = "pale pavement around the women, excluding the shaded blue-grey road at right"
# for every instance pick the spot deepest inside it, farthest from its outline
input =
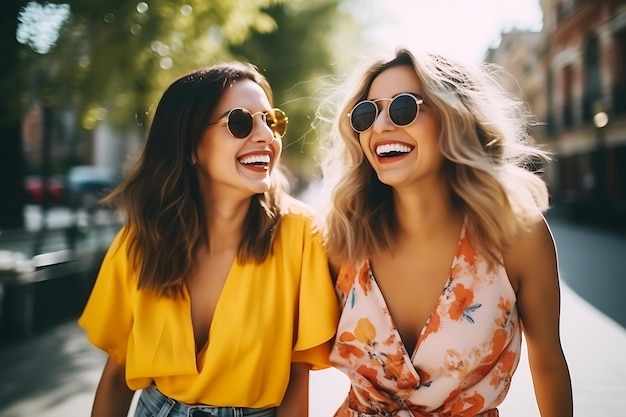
(56, 374)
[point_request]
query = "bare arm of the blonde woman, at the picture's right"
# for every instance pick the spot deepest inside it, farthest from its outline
(532, 265)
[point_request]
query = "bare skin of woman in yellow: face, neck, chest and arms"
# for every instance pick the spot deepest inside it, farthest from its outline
(227, 185)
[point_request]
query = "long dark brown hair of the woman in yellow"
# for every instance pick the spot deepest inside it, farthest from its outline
(160, 198)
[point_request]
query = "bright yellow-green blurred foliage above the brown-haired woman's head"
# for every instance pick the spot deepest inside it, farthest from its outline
(119, 55)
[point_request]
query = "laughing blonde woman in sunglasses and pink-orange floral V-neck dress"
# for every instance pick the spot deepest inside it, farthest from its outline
(438, 241)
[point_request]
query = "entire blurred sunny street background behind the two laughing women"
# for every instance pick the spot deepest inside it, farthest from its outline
(79, 81)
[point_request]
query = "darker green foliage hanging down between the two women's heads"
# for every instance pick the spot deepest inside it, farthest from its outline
(297, 58)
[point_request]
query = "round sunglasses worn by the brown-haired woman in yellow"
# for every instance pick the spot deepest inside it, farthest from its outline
(240, 121)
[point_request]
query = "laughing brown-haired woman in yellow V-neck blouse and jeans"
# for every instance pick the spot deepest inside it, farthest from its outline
(215, 297)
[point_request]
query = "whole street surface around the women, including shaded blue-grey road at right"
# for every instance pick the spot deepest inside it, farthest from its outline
(55, 373)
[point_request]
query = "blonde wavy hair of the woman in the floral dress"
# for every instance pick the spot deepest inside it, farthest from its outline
(491, 160)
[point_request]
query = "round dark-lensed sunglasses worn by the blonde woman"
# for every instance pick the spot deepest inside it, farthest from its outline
(402, 111)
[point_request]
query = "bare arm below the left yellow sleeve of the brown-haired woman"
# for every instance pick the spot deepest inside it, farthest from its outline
(113, 397)
